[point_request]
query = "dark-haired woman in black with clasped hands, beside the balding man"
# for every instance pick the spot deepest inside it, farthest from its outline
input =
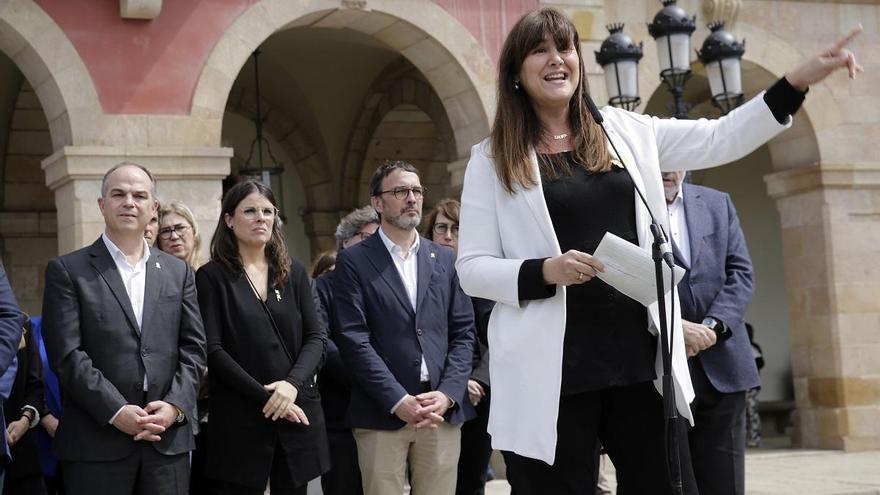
(264, 347)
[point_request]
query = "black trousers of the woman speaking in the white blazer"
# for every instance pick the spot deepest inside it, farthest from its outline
(629, 422)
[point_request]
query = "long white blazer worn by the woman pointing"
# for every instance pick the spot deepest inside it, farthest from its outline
(499, 231)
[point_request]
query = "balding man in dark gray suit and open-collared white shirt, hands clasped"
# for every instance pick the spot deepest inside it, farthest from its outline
(124, 334)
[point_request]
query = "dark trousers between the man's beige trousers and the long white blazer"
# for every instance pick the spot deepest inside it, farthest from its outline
(476, 448)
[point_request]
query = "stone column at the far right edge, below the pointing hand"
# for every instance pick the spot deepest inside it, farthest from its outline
(831, 238)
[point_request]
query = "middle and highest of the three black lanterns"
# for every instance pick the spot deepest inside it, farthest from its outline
(672, 30)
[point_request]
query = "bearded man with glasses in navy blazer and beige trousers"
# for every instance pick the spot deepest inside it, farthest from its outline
(406, 333)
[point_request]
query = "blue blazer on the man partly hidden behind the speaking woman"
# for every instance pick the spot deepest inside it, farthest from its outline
(719, 283)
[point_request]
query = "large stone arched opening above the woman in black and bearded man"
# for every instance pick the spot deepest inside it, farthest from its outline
(343, 90)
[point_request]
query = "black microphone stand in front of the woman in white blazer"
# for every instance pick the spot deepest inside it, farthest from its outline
(660, 255)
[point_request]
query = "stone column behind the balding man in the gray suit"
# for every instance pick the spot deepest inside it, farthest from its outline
(189, 175)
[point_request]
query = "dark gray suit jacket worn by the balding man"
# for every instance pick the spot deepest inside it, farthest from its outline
(100, 354)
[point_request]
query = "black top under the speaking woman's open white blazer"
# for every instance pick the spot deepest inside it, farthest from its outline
(606, 337)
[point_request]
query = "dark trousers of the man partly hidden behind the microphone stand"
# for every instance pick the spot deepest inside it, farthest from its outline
(718, 439)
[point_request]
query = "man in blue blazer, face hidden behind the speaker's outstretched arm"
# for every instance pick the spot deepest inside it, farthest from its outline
(708, 241)
